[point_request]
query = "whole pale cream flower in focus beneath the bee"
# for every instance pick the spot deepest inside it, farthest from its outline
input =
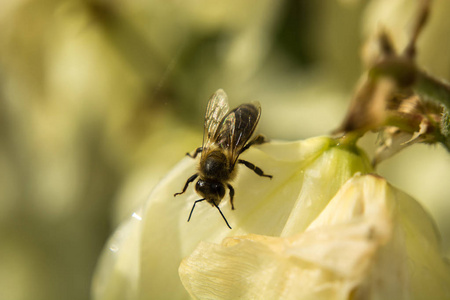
(319, 229)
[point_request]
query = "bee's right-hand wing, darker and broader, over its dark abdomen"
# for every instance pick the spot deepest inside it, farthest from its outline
(237, 128)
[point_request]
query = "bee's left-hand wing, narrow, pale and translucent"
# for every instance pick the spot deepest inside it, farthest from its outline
(215, 112)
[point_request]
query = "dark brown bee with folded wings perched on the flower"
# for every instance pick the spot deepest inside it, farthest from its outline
(226, 136)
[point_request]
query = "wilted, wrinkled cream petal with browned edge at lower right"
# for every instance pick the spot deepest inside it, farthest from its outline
(371, 242)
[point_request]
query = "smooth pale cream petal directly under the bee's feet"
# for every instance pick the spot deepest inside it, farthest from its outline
(306, 175)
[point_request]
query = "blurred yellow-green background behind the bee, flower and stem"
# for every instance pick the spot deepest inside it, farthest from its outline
(99, 99)
